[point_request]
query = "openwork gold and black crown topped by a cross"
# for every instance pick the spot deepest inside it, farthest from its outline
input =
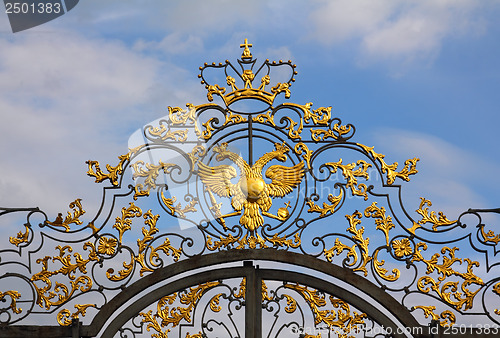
(247, 74)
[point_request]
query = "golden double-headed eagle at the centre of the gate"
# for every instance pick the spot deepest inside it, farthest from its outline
(251, 196)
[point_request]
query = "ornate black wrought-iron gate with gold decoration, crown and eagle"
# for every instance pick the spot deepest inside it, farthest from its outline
(252, 218)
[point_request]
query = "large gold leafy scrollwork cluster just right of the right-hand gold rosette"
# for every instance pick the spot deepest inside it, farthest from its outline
(448, 289)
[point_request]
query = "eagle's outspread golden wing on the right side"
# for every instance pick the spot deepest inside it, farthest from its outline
(284, 179)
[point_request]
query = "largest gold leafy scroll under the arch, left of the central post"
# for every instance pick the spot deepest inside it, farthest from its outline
(170, 315)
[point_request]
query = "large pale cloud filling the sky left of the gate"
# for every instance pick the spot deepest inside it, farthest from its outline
(64, 99)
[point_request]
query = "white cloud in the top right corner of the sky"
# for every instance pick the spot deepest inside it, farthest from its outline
(394, 30)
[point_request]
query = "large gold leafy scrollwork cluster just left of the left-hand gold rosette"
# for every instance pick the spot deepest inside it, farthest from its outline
(82, 283)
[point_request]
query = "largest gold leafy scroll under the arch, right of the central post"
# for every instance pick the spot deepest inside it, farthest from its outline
(341, 318)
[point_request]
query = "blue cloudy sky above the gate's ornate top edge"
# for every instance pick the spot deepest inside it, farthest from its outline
(416, 78)
